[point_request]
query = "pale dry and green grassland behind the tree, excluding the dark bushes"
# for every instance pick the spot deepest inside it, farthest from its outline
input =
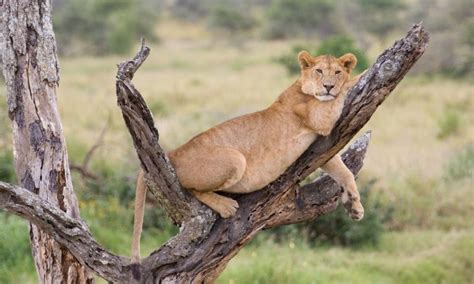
(421, 154)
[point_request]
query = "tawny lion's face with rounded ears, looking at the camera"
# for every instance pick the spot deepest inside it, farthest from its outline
(323, 76)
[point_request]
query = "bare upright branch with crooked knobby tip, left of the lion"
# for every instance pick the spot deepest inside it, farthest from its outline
(160, 175)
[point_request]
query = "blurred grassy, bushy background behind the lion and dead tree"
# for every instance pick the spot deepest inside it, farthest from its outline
(214, 60)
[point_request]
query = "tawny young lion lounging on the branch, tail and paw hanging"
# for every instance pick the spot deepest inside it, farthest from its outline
(246, 153)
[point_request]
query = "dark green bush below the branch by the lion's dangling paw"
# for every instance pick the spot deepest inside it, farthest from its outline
(339, 229)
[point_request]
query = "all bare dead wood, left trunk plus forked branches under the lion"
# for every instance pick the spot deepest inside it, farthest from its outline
(205, 242)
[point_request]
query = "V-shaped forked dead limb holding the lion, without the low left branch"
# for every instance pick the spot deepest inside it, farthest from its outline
(204, 246)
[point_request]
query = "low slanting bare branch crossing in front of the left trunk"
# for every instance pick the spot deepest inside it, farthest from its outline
(71, 233)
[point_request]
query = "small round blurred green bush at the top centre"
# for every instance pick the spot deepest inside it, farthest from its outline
(230, 18)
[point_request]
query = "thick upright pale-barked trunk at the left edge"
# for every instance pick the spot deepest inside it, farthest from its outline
(30, 68)
